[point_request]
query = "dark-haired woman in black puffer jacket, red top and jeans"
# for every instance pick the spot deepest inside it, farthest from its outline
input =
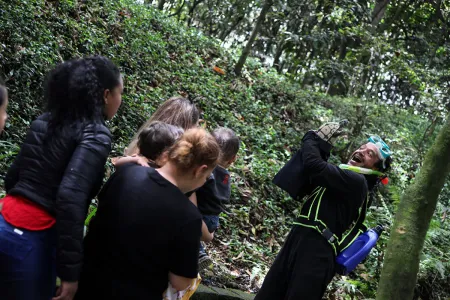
(58, 170)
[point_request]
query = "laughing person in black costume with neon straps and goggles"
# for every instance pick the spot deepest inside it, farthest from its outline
(337, 198)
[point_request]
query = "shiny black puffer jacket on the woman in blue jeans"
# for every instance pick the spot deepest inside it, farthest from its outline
(62, 174)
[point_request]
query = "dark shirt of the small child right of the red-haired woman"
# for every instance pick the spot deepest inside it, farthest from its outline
(215, 192)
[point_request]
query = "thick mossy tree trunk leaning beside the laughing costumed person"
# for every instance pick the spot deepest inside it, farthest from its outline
(412, 220)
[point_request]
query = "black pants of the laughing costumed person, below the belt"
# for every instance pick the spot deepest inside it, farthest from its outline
(302, 270)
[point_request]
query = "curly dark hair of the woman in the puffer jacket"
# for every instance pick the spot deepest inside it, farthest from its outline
(74, 90)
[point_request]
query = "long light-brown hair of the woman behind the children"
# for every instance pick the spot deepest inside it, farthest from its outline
(177, 111)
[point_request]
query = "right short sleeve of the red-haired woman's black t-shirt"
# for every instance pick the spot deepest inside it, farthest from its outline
(185, 247)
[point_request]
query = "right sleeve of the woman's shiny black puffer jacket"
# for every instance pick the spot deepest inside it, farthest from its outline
(85, 169)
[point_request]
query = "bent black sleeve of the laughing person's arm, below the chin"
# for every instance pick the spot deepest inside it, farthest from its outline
(323, 173)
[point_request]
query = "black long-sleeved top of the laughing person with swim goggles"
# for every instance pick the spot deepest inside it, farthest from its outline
(345, 191)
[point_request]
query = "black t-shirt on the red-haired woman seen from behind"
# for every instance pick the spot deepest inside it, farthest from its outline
(145, 227)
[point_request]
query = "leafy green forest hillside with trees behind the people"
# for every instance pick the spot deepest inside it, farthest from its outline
(384, 65)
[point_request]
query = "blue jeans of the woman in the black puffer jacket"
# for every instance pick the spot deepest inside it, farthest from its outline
(27, 263)
